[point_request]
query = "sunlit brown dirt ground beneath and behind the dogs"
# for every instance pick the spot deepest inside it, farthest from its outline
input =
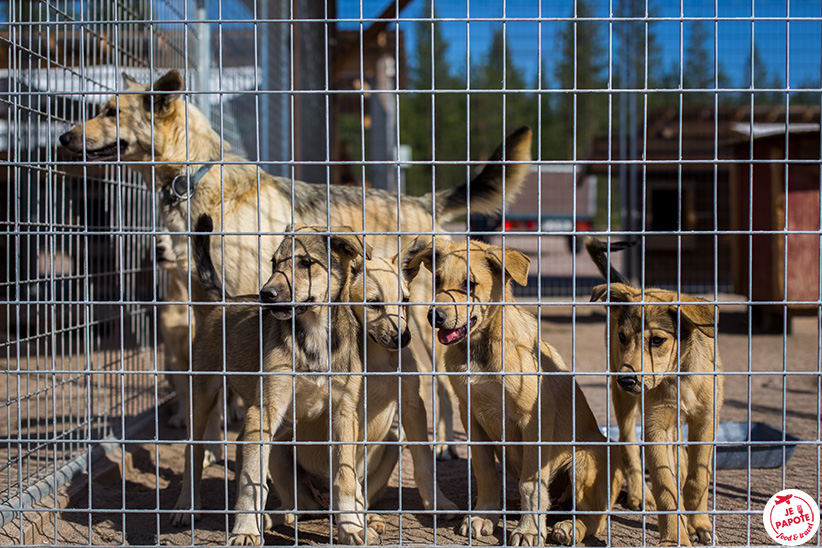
(757, 389)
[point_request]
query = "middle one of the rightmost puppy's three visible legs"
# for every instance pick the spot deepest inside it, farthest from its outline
(662, 462)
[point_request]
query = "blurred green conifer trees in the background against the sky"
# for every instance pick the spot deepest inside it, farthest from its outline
(452, 125)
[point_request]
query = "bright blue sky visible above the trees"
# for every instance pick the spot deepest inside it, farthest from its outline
(797, 43)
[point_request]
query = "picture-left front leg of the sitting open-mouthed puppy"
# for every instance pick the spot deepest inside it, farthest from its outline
(483, 520)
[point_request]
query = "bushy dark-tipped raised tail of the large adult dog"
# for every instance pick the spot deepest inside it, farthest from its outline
(485, 191)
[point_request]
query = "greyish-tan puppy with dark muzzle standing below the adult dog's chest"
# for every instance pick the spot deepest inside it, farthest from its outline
(321, 340)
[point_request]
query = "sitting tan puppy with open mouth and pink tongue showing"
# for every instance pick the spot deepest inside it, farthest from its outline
(507, 355)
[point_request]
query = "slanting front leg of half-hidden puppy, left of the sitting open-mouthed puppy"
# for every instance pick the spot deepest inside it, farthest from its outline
(415, 425)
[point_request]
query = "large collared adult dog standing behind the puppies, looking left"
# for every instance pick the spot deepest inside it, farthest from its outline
(153, 125)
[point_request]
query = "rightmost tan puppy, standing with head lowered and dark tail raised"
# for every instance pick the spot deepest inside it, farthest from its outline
(650, 345)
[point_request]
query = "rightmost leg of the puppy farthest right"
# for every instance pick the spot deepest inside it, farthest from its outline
(695, 491)
